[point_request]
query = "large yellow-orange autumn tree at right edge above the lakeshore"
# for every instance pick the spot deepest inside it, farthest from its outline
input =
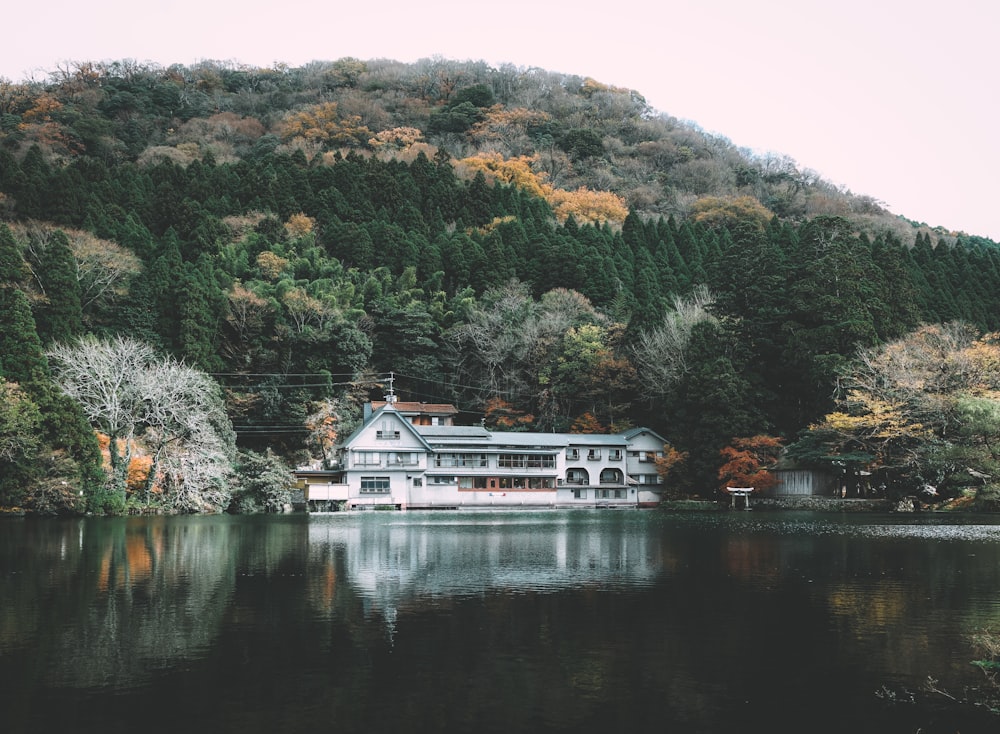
(924, 408)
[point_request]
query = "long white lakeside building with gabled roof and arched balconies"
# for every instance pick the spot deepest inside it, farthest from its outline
(391, 462)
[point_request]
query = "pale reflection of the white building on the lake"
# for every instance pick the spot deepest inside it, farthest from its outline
(398, 559)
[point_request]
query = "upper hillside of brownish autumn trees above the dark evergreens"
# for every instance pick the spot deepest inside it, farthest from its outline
(576, 132)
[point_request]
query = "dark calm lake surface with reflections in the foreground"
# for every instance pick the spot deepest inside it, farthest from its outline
(617, 621)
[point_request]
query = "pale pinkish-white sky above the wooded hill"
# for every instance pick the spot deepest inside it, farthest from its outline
(899, 100)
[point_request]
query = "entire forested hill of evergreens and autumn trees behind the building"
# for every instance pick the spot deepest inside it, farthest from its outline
(206, 271)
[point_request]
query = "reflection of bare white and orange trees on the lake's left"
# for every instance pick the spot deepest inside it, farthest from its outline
(114, 600)
